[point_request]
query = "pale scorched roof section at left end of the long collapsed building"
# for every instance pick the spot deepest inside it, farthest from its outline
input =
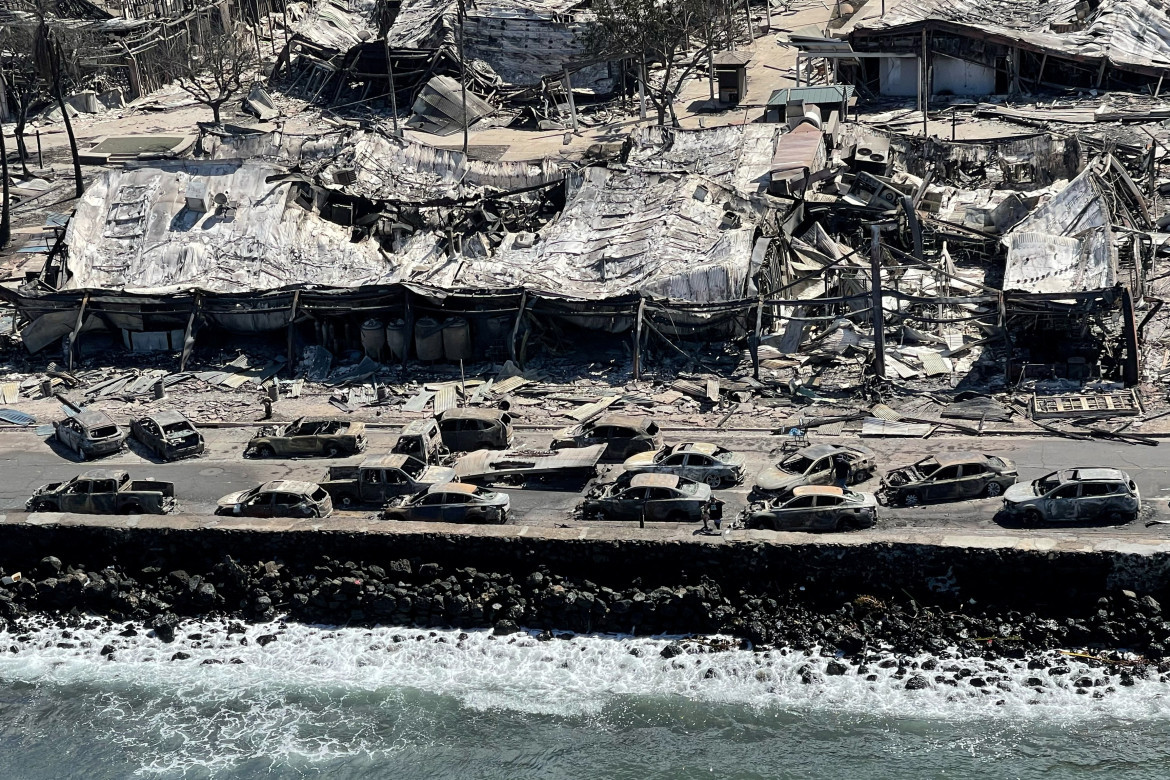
(216, 226)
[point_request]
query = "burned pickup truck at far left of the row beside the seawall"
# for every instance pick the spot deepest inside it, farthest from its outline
(105, 493)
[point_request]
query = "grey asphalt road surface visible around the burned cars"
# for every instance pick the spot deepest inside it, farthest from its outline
(29, 461)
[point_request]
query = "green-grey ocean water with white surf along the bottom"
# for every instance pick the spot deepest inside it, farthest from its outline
(356, 703)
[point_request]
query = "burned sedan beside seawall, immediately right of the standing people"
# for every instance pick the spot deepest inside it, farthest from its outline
(815, 508)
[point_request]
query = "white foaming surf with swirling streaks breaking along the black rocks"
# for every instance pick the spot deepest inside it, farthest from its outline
(299, 699)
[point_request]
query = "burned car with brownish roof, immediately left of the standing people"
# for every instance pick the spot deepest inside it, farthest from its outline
(653, 498)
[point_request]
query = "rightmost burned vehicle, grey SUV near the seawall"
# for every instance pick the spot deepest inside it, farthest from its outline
(1078, 495)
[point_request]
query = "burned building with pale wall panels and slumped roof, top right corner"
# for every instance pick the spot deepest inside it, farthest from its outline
(1004, 47)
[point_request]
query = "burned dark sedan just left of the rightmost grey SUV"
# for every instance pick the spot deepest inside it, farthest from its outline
(948, 477)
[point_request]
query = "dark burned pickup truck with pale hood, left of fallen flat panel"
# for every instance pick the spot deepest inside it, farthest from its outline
(378, 480)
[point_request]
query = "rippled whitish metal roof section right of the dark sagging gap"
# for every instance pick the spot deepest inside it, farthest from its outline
(672, 236)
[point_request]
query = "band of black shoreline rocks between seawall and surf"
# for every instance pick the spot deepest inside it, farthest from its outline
(1123, 630)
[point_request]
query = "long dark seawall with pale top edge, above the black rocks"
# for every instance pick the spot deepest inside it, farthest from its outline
(1026, 572)
